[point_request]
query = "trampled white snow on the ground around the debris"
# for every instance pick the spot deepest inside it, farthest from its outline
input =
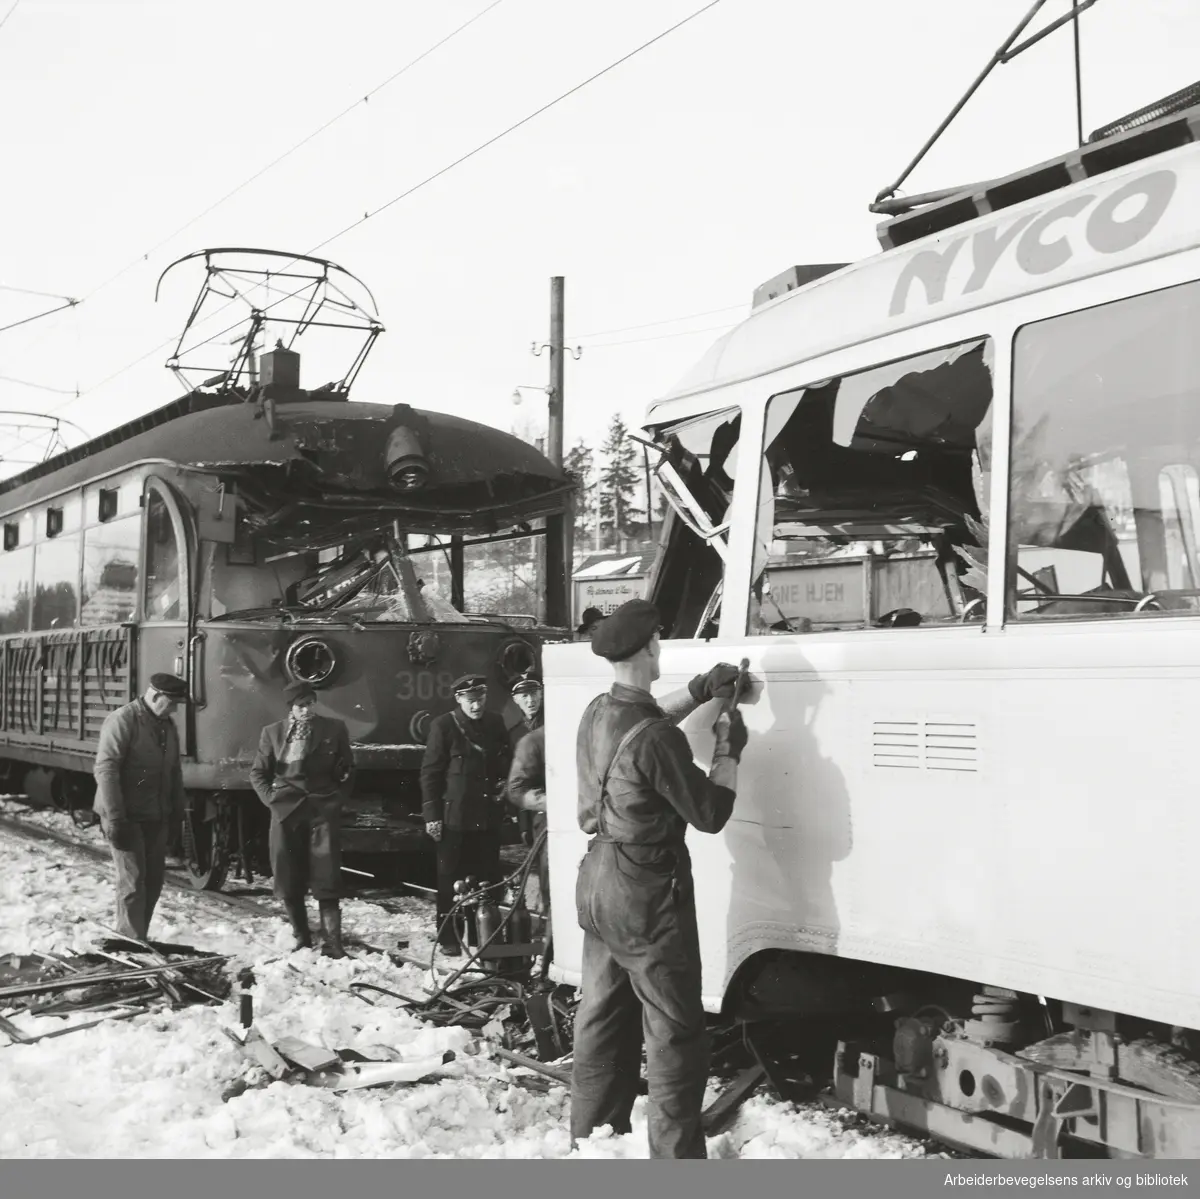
(152, 1086)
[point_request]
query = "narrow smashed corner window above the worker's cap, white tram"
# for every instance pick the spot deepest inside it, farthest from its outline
(703, 455)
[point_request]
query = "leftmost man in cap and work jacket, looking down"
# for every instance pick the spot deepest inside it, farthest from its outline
(140, 798)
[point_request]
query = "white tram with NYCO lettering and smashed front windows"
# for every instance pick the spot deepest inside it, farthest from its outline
(947, 502)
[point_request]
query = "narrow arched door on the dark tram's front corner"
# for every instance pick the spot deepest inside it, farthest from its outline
(166, 598)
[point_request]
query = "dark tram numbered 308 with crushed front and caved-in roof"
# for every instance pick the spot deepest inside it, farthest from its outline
(243, 541)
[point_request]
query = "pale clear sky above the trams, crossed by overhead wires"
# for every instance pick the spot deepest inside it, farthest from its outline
(752, 139)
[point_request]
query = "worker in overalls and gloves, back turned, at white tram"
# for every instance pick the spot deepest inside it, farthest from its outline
(639, 790)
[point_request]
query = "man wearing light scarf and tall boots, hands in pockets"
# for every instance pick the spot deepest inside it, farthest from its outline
(303, 772)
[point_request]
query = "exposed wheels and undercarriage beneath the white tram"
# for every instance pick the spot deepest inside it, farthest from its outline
(986, 1070)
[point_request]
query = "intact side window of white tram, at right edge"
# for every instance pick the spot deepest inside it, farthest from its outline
(1106, 449)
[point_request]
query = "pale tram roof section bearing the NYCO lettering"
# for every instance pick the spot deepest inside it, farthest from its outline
(1102, 221)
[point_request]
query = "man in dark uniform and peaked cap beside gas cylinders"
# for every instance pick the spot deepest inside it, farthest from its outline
(464, 775)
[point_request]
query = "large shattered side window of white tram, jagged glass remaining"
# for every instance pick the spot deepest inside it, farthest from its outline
(873, 497)
